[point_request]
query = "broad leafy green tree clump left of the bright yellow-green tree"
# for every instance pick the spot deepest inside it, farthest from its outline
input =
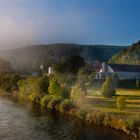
(33, 88)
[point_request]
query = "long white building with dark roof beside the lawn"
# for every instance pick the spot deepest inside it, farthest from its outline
(122, 71)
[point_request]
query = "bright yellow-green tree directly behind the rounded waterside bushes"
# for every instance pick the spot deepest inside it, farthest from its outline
(54, 87)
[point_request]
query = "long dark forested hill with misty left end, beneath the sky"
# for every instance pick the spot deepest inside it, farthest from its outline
(31, 57)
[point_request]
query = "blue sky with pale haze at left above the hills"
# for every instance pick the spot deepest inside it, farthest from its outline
(28, 22)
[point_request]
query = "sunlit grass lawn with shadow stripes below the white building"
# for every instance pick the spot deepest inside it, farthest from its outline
(95, 100)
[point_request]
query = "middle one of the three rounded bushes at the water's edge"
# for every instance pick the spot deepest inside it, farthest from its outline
(54, 101)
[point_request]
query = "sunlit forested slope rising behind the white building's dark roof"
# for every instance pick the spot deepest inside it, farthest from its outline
(130, 55)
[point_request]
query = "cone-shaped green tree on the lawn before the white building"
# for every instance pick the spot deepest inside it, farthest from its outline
(107, 88)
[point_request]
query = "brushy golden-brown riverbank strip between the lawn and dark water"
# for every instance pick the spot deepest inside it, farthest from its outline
(127, 123)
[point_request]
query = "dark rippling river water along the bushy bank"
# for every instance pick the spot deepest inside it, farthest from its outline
(30, 122)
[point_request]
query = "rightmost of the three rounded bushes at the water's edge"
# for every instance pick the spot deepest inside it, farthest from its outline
(66, 105)
